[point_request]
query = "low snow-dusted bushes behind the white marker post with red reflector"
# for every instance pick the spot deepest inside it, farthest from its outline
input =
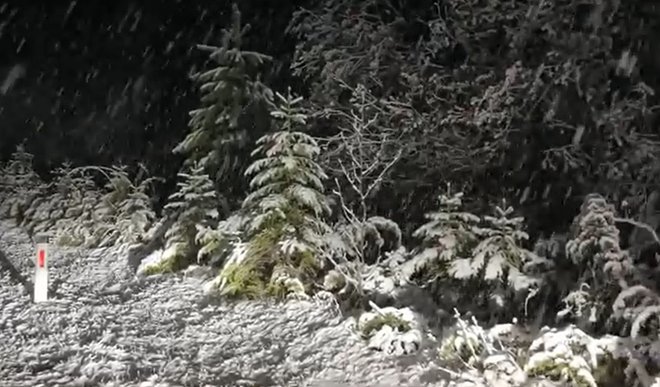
(73, 209)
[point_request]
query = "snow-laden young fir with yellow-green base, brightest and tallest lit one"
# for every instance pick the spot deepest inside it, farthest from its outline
(287, 205)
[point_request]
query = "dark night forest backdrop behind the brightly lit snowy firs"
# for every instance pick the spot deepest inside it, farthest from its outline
(536, 103)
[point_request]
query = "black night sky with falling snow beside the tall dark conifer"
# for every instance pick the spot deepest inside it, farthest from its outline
(98, 82)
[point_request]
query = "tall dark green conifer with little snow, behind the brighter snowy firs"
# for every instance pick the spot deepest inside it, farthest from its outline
(227, 90)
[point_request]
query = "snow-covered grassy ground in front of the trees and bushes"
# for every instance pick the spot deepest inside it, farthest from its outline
(105, 327)
